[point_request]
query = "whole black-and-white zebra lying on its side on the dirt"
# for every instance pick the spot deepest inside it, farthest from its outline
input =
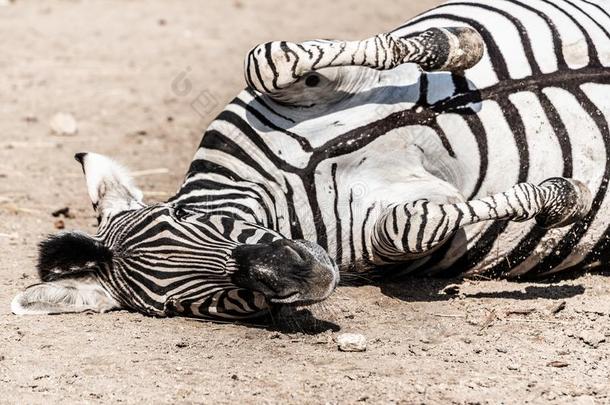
(346, 155)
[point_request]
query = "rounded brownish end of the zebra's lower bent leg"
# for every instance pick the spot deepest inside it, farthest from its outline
(569, 202)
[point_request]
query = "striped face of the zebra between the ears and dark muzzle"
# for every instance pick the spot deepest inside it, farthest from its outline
(167, 256)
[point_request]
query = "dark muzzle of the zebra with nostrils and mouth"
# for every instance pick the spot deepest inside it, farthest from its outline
(286, 272)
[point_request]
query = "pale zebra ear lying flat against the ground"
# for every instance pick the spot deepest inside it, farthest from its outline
(68, 295)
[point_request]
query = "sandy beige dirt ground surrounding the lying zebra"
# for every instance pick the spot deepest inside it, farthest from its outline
(143, 80)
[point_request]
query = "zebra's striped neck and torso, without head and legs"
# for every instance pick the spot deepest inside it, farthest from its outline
(535, 107)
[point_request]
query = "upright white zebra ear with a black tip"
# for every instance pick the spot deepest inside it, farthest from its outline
(109, 184)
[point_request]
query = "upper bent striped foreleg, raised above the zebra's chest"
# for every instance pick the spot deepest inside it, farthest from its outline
(274, 66)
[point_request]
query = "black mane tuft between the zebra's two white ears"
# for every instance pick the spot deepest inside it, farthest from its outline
(70, 254)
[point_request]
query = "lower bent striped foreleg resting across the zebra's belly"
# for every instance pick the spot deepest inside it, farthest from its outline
(412, 230)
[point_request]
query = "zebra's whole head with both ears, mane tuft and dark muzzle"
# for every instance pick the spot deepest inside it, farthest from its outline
(171, 259)
